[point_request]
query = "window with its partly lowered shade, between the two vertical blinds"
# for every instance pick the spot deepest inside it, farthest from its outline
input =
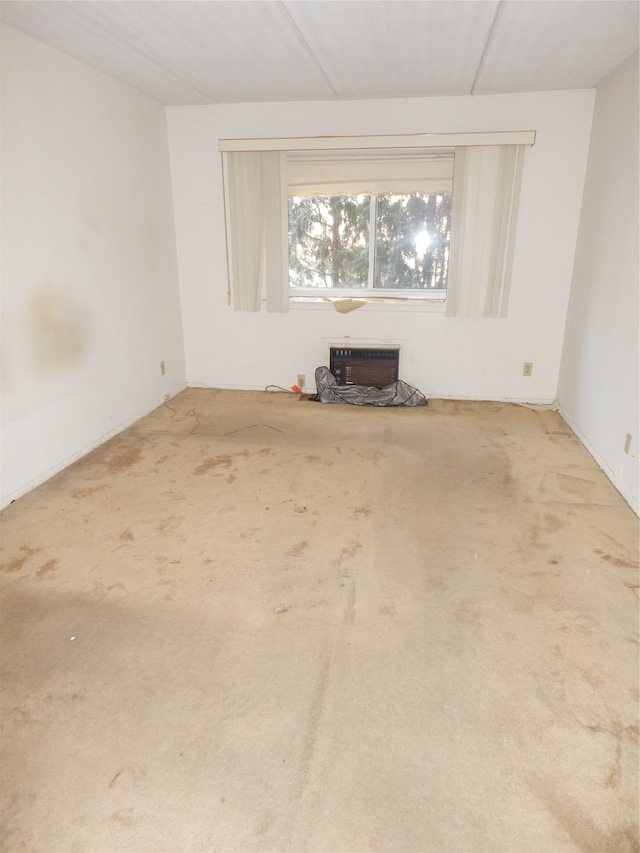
(376, 222)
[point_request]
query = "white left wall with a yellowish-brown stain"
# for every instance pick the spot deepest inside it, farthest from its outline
(89, 275)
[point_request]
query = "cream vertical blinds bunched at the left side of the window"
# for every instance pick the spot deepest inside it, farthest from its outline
(256, 192)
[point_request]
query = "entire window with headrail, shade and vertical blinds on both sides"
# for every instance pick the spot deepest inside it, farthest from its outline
(376, 215)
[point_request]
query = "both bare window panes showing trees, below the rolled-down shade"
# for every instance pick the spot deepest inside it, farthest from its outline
(374, 244)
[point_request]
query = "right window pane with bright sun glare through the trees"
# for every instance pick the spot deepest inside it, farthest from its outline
(412, 241)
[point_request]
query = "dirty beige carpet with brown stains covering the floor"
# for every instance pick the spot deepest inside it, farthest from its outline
(256, 623)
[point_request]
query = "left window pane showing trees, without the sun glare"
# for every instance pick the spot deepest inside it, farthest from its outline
(329, 241)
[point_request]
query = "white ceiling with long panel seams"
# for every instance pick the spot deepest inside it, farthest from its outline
(233, 51)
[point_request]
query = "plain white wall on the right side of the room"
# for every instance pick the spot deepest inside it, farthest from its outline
(599, 380)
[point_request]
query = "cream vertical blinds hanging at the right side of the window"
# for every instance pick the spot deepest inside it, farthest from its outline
(486, 192)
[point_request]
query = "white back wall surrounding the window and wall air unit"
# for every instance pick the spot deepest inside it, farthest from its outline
(444, 357)
